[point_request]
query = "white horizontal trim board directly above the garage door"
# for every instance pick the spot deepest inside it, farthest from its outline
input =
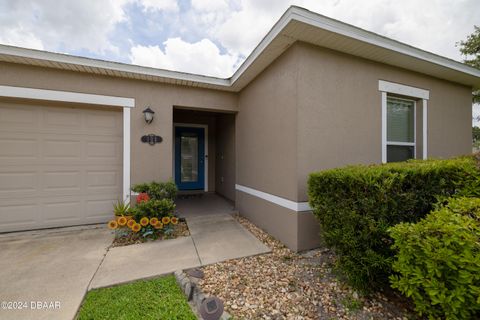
(65, 96)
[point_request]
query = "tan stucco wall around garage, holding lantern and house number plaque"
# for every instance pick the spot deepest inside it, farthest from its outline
(147, 162)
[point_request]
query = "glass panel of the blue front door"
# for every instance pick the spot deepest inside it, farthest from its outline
(189, 157)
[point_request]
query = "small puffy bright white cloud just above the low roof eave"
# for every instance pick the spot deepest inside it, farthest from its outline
(202, 57)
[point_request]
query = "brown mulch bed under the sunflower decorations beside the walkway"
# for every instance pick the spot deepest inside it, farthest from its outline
(123, 238)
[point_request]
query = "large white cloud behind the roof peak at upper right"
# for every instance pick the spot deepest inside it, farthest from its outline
(433, 25)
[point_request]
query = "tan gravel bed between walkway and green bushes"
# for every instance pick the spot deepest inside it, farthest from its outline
(287, 285)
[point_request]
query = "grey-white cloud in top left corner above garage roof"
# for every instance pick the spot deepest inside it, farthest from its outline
(60, 25)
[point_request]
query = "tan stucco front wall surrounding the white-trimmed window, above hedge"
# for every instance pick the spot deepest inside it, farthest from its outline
(339, 111)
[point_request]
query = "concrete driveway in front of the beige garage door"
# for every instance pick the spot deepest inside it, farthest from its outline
(53, 267)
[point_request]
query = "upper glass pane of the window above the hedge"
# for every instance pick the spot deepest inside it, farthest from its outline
(400, 120)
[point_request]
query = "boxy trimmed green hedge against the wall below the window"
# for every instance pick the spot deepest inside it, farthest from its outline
(356, 205)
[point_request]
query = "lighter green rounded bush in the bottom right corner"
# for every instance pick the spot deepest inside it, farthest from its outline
(438, 261)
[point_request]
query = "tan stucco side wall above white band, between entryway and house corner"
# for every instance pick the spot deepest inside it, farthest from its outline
(266, 130)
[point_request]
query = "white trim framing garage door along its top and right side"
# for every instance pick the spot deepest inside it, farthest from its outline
(87, 99)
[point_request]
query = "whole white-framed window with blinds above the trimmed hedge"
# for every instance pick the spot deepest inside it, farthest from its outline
(400, 129)
